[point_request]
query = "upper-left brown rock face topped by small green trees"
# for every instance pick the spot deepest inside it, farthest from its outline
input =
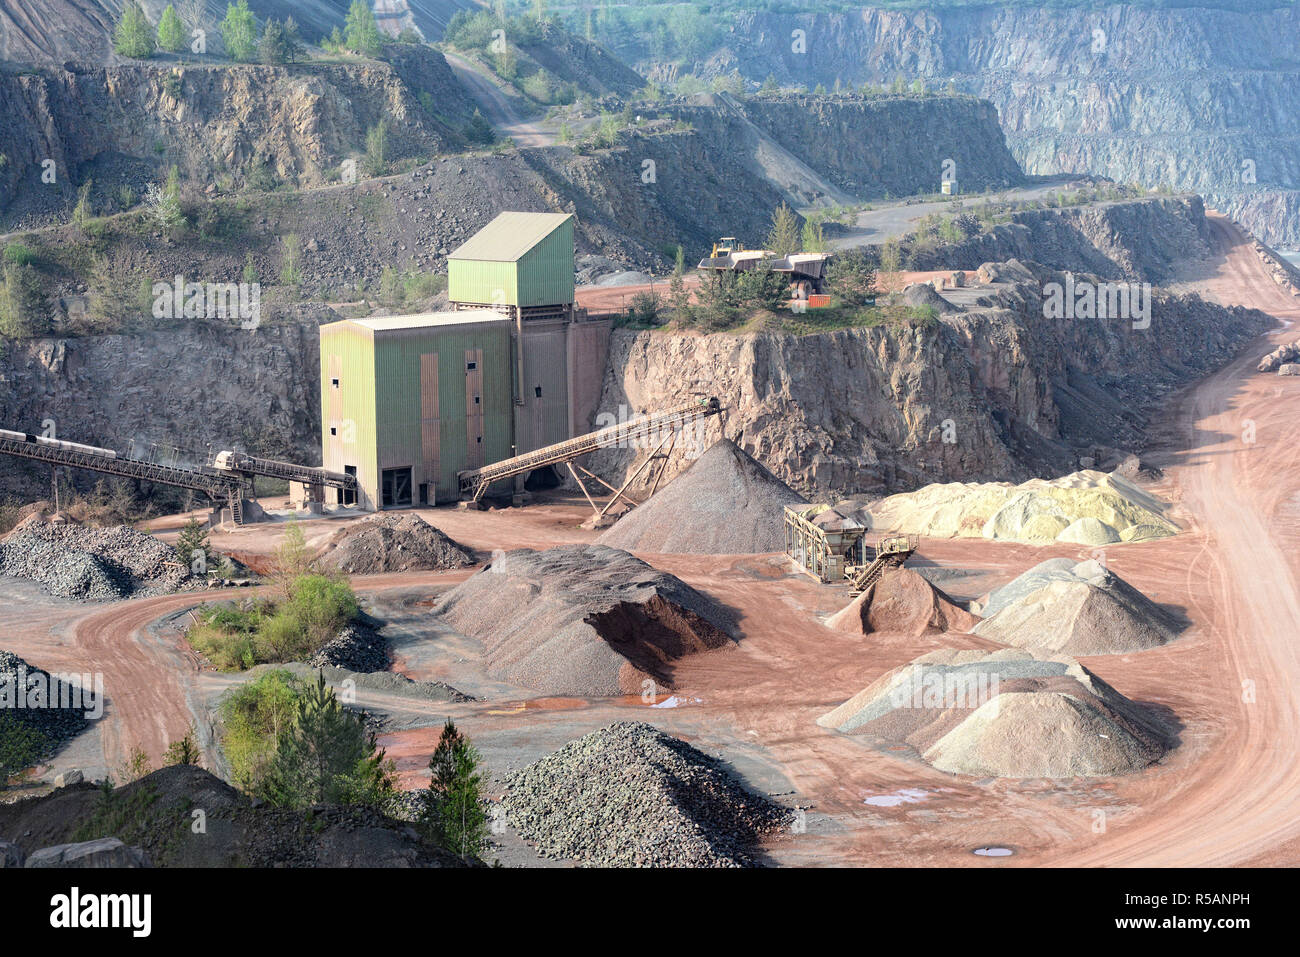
(125, 125)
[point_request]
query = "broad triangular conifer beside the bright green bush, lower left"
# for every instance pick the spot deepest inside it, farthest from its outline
(327, 756)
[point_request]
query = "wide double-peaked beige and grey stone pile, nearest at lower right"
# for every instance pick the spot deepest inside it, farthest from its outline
(1006, 714)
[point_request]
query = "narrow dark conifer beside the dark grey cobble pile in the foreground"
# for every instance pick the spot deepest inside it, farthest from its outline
(454, 812)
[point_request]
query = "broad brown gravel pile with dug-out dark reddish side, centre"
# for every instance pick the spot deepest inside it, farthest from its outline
(583, 620)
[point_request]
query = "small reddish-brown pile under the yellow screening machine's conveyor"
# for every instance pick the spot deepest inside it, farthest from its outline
(903, 603)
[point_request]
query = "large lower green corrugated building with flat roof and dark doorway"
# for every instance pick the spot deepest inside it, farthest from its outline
(410, 401)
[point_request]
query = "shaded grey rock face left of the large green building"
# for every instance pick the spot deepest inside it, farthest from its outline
(188, 386)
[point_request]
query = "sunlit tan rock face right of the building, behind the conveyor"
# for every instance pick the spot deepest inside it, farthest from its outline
(994, 389)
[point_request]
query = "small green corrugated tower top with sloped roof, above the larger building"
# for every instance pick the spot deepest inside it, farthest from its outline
(523, 261)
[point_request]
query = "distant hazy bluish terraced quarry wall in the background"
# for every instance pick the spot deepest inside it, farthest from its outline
(1198, 99)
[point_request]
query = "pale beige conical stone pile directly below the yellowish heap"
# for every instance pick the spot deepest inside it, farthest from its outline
(1076, 608)
